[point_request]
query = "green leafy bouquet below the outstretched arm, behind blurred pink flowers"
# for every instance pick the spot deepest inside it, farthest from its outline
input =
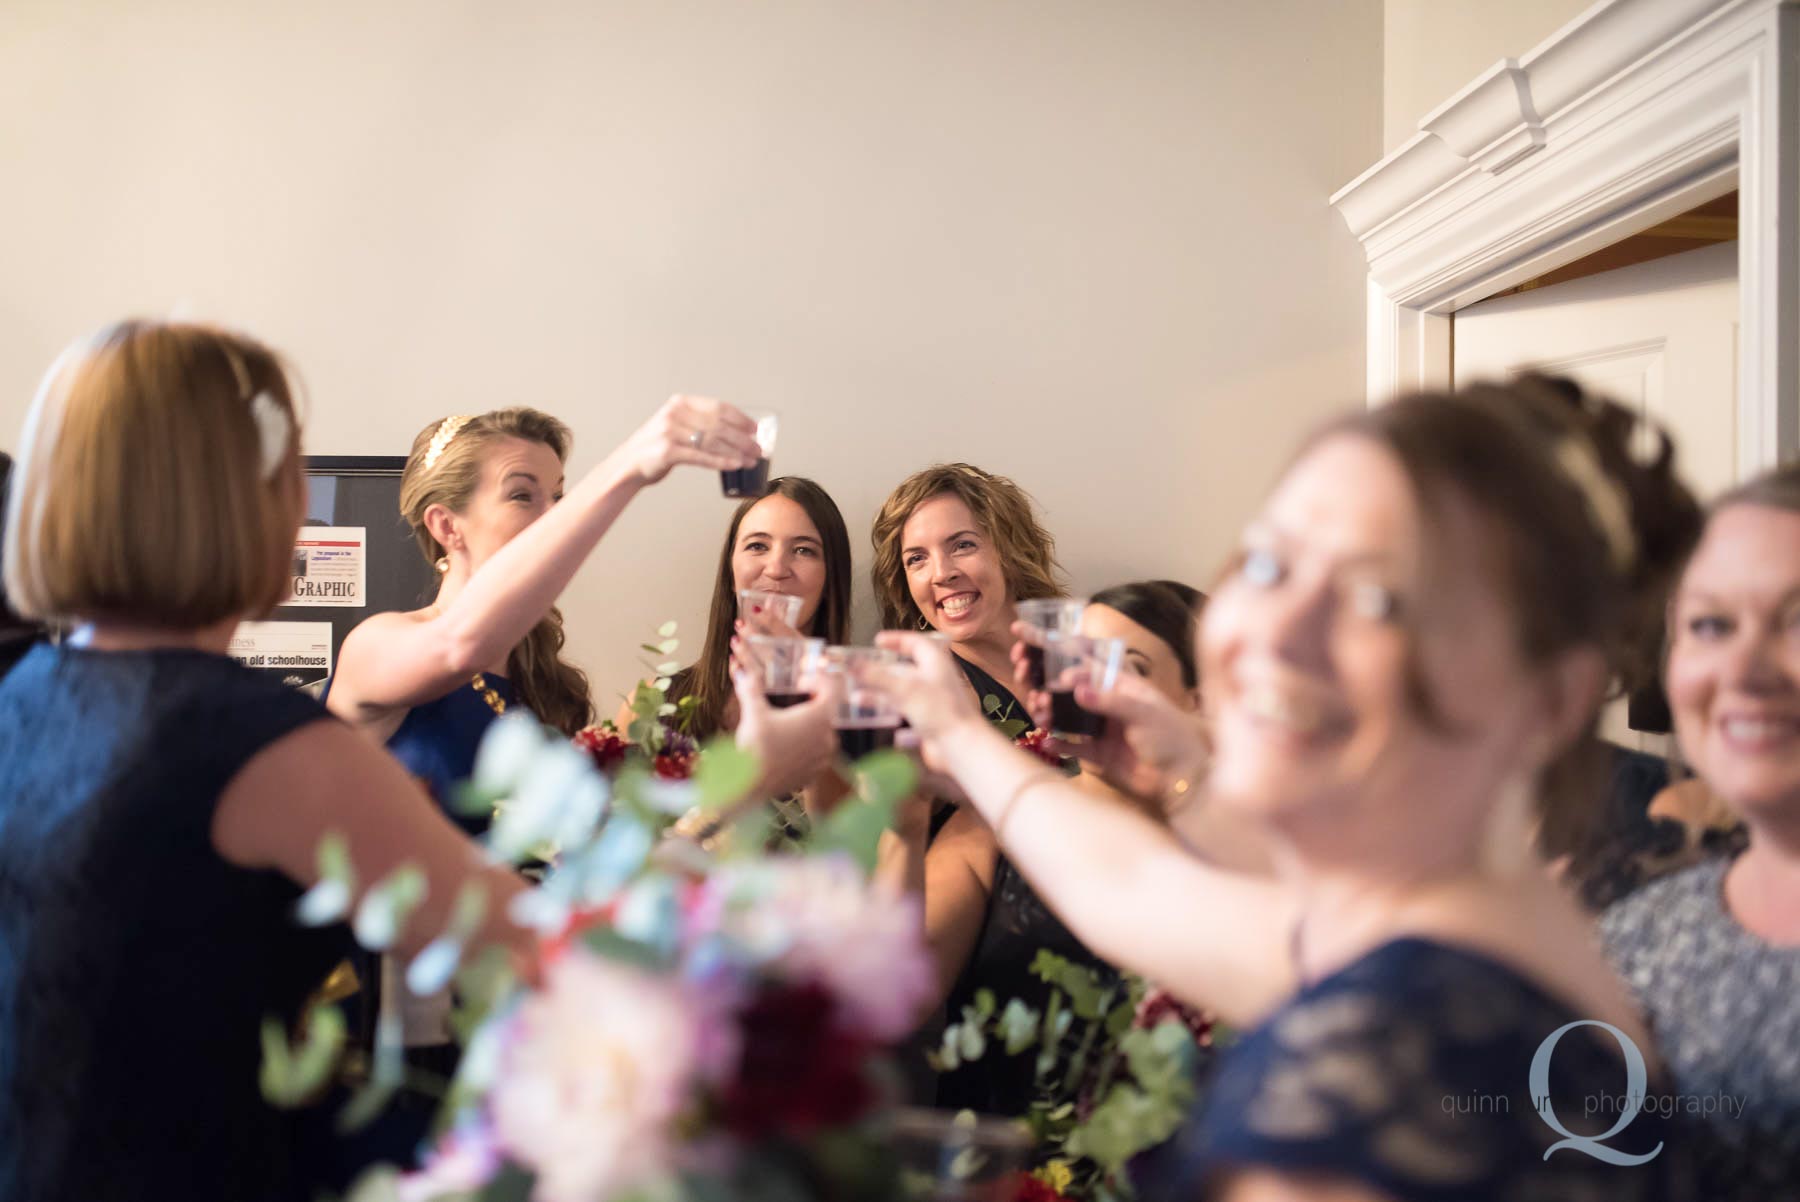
(1115, 1070)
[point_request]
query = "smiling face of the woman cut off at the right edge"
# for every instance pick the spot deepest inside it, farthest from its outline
(1734, 659)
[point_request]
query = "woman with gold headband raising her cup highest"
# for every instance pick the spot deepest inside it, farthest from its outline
(485, 499)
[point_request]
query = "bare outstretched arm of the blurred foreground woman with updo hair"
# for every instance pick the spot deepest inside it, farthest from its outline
(1122, 883)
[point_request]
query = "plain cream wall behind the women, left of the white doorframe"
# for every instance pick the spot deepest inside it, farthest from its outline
(1079, 244)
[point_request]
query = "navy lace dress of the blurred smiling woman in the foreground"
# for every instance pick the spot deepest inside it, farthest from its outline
(1412, 1073)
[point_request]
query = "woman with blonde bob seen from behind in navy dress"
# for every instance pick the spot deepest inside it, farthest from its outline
(161, 807)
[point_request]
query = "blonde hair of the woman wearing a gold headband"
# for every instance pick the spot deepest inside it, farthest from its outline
(445, 471)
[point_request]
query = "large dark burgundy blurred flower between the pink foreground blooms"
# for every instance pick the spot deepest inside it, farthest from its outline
(800, 1072)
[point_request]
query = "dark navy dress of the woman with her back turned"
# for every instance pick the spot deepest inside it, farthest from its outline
(138, 965)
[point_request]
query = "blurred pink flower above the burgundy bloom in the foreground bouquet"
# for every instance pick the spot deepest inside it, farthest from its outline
(818, 920)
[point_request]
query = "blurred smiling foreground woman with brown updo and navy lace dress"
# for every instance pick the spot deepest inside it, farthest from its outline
(1403, 674)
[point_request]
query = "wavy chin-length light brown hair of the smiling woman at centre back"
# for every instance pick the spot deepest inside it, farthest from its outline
(1002, 510)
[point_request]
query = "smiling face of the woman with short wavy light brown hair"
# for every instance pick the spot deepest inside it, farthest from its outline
(955, 571)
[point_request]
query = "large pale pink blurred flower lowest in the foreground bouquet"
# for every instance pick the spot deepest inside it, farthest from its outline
(598, 1066)
